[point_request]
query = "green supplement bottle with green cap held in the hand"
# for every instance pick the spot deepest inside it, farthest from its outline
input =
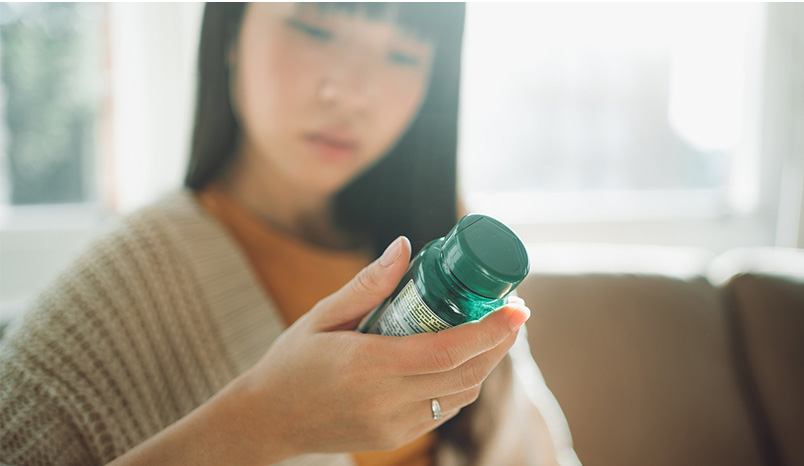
(454, 279)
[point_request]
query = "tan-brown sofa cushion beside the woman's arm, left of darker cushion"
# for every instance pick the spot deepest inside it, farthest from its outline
(641, 366)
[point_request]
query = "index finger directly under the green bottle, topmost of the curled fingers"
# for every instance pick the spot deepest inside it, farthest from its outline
(429, 353)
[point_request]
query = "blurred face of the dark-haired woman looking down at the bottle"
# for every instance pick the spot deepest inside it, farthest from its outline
(322, 96)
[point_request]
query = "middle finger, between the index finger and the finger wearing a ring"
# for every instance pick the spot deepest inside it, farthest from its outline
(464, 377)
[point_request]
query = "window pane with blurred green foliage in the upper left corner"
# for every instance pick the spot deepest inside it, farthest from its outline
(52, 83)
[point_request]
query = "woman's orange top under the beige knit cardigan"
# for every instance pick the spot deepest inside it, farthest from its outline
(297, 275)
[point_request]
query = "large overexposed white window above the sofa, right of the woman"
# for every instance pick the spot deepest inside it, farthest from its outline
(603, 112)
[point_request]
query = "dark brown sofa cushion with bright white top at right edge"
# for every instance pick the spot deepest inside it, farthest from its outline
(764, 295)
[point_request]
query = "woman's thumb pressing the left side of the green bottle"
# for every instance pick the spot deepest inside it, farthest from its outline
(346, 307)
